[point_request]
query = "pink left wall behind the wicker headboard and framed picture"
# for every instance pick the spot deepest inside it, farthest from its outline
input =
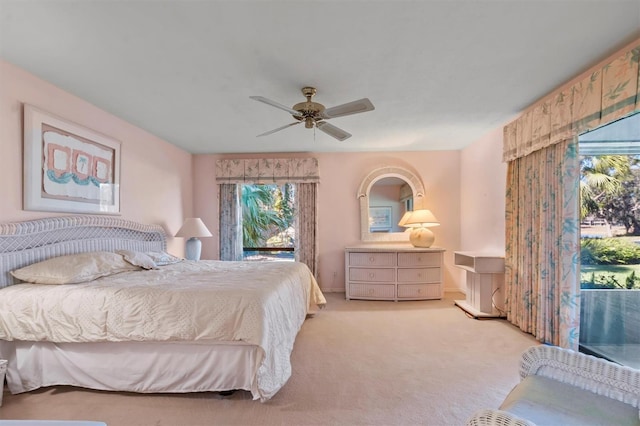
(156, 181)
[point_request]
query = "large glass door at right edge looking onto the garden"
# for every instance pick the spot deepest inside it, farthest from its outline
(610, 241)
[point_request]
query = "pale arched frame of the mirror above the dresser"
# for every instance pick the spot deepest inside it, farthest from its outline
(363, 195)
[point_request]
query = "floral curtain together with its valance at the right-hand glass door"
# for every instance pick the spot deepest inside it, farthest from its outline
(542, 225)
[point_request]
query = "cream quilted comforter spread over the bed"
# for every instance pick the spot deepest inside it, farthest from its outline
(261, 303)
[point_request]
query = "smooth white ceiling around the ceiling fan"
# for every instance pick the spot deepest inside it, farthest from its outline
(441, 74)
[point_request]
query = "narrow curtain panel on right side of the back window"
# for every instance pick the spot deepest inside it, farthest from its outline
(306, 250)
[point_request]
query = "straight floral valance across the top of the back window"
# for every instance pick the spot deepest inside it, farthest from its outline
(268, 170)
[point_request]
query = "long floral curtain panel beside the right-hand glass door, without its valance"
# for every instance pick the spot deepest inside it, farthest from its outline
(543, 243)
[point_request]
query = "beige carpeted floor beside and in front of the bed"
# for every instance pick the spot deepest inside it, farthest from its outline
(354, 363)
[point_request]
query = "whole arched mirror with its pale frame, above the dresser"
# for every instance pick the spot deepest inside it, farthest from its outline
(385, 195)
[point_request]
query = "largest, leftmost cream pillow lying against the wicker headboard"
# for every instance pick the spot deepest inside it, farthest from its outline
(74, 268)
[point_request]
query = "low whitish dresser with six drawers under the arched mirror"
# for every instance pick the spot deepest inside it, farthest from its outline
(393, 272)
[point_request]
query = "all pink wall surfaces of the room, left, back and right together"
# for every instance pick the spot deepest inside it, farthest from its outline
(162, 184)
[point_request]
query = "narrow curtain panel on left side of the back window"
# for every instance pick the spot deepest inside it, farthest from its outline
(230, 222)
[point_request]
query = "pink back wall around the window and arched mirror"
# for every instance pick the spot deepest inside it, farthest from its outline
(339, 209)
